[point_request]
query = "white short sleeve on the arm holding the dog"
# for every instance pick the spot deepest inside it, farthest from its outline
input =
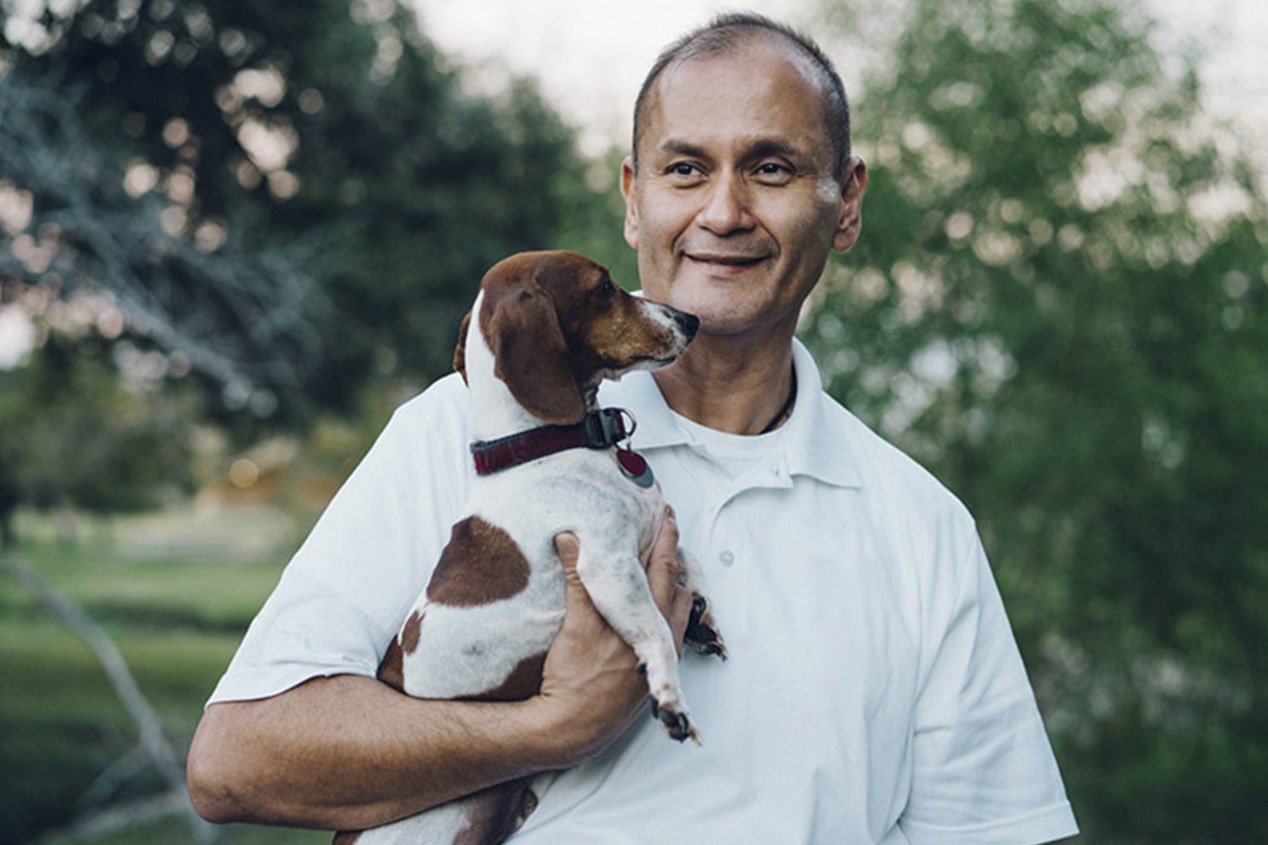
(344, 594)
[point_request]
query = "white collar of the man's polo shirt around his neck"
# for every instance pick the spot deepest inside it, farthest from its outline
(815, 442)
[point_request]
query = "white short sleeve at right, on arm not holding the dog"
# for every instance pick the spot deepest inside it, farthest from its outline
(983, 770)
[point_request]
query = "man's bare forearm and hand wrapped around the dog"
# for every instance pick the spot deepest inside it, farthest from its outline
(348, 753)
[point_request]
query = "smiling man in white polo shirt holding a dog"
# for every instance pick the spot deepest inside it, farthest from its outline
(874, 692)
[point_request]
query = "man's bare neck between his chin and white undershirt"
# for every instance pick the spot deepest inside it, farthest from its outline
(731, 385)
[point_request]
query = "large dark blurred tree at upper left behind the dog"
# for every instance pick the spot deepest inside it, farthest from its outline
(287, 201)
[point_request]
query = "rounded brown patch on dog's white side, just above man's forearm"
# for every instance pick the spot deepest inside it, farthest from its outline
(482, 564)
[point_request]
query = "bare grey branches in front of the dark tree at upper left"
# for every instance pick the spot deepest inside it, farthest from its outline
(250, 323)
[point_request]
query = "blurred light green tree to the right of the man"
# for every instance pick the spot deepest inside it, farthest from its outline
(1059, 305)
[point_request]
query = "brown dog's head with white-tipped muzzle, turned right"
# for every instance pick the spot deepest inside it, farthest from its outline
(557, 325)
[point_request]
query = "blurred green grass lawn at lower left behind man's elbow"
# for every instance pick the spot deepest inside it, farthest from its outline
(68, 744)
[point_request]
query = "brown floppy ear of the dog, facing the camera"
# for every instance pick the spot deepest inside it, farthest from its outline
(531, 356)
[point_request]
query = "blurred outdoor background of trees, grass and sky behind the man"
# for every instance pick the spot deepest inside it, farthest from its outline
(235, 235)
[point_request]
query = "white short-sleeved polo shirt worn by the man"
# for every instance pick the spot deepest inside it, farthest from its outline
(874, 693)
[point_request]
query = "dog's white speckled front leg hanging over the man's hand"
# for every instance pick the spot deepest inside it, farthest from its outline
(618, 587)
